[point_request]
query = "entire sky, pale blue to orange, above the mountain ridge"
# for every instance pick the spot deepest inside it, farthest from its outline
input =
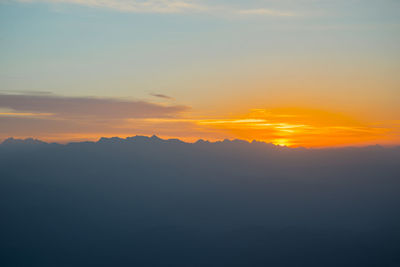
(312, 73)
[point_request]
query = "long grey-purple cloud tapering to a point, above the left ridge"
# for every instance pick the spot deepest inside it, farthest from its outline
(87, 106)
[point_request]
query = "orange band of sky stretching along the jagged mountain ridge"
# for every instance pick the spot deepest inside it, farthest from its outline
(292, 127)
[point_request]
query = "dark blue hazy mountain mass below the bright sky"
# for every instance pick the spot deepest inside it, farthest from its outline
(149, 202)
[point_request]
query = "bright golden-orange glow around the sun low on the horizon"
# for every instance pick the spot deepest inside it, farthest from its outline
(295, 127)
